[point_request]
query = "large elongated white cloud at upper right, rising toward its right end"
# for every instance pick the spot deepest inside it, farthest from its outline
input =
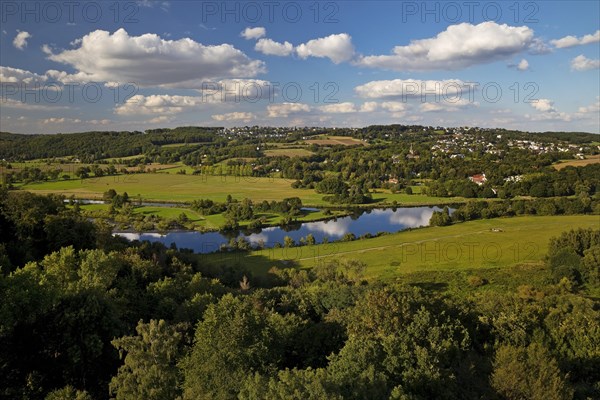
(459, 46)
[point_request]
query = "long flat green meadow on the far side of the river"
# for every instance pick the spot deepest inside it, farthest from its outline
(181, 188)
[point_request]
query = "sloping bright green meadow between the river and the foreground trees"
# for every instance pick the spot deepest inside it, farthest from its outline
(475, 245)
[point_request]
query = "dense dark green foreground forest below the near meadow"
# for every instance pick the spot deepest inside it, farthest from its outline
(85, 315)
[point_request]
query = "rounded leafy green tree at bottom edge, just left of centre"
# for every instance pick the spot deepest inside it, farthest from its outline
(234, 337)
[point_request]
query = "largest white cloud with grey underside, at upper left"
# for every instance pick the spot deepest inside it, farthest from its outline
(148, 60)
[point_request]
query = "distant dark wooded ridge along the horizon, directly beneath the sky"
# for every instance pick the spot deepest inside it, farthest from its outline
(90, 146)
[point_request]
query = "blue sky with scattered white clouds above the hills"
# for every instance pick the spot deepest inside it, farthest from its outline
(79, 66)
